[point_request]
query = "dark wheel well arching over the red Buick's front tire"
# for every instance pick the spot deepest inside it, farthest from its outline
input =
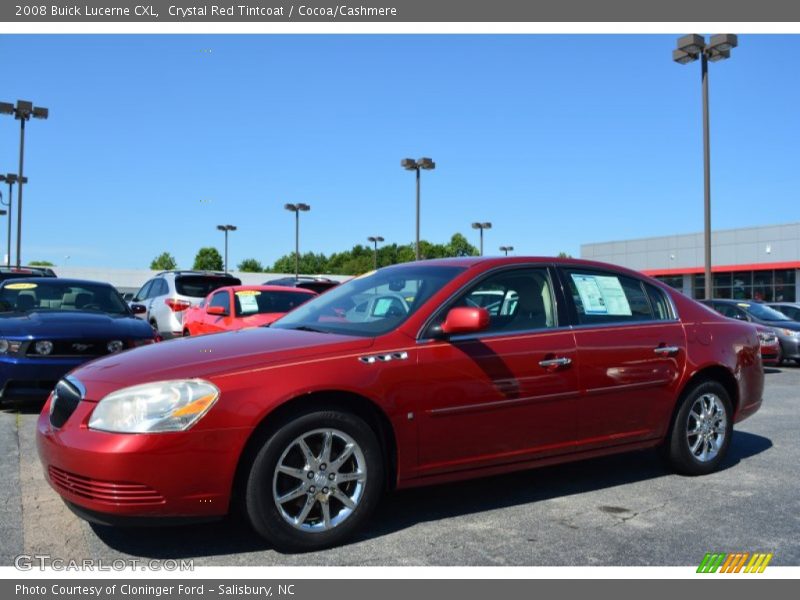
(329, 399)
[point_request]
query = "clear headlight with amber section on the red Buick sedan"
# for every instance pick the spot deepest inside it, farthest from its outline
(155, 407)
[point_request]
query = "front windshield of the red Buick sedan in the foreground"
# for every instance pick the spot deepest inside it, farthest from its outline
(372, 304)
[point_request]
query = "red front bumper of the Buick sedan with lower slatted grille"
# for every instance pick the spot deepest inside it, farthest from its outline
(180, 474)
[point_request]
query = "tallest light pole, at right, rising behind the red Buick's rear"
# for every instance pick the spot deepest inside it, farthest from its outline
(690, 48)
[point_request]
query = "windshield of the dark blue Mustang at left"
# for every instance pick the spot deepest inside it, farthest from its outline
(60, 295)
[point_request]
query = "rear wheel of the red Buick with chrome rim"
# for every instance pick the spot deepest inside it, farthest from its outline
(701, 432)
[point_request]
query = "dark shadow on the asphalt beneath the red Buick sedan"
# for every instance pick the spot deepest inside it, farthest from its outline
(406, 508)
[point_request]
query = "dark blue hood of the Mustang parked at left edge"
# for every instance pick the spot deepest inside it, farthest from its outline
(72, 325)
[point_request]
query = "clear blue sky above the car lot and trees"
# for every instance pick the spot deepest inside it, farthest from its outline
(558, 140)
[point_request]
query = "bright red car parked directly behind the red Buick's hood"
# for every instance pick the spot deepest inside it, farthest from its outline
(241, 306)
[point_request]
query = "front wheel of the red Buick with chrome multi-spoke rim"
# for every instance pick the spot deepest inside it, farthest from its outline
(315, 481)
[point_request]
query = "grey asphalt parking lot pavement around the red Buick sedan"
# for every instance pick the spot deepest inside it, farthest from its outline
(621, 510)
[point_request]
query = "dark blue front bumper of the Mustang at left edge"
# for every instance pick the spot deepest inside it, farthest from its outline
(24, 378)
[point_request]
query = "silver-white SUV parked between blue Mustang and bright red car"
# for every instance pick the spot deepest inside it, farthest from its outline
(167, 296)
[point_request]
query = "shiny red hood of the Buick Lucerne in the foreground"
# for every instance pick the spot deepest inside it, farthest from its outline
(209, 355)
